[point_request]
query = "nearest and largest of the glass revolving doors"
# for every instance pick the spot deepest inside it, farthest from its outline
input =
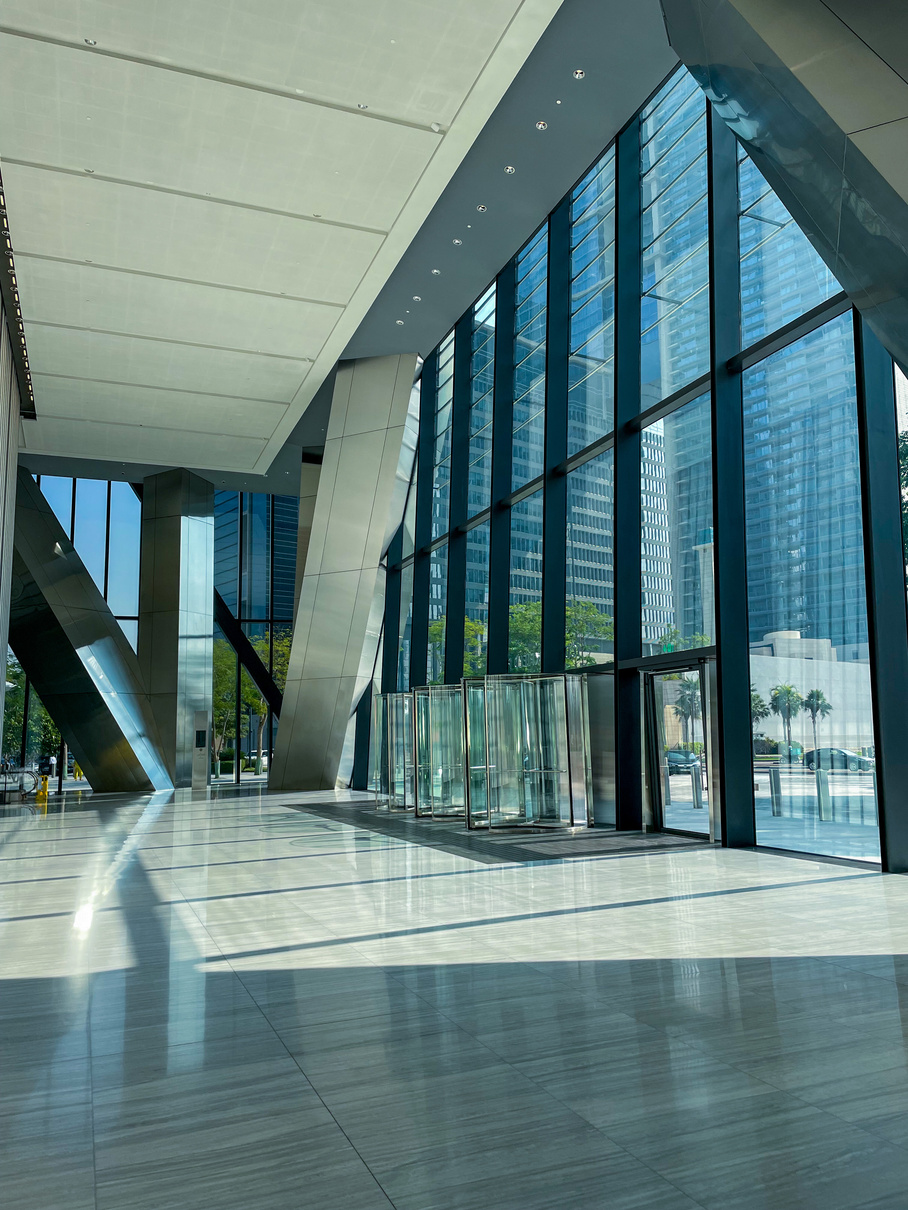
(527, 752)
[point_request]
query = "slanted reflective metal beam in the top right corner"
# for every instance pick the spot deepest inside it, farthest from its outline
(824, 118)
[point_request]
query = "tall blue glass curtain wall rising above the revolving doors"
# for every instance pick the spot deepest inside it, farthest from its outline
(636, 252)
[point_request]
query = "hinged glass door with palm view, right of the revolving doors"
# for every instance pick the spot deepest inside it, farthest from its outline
(680, 748)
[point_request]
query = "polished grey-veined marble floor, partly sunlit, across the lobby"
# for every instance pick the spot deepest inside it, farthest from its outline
(233, 1004)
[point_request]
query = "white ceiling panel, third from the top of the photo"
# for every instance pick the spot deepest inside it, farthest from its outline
(129, 227)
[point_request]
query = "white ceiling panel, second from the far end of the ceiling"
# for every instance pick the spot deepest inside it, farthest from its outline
(150, 407)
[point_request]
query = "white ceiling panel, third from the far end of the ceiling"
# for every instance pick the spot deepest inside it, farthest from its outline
(90, 355)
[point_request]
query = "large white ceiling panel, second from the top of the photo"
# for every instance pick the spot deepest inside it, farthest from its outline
(135, 123)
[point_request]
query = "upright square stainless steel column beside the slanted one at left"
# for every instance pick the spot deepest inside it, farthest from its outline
(176, 613)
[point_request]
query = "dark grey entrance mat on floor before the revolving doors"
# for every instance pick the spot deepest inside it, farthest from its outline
(514, 845)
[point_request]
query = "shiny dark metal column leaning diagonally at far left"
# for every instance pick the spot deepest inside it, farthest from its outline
(77, 656)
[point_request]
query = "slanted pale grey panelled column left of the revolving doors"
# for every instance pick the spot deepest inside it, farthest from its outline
(337, 600)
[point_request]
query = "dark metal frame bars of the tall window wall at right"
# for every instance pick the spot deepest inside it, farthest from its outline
(888, 614)
